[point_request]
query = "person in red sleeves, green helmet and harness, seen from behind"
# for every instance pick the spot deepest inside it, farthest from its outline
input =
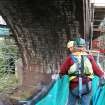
(80, 64)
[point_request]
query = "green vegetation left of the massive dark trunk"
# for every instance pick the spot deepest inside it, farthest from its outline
(8, 56)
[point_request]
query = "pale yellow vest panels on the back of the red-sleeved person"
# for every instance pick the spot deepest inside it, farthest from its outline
(73, 70)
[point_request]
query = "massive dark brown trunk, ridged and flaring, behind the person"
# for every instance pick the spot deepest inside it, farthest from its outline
(41, 29)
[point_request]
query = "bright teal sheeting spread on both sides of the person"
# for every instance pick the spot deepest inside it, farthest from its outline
(58, 92)
